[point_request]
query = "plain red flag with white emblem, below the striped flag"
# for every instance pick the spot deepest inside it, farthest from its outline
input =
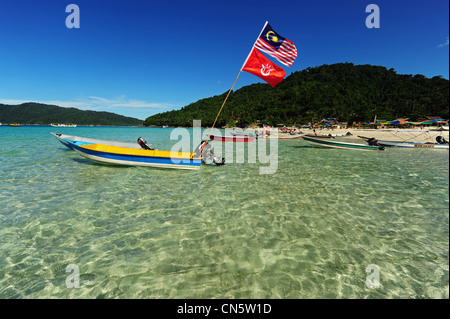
(260, 66)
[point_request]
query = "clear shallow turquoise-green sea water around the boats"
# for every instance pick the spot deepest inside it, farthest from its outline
(308, 231)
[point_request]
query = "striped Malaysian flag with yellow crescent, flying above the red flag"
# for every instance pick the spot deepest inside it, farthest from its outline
(276, 46)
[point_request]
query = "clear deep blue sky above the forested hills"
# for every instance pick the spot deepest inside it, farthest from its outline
(138, 58)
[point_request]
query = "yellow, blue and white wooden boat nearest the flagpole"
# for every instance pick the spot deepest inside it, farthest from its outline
(116, 155)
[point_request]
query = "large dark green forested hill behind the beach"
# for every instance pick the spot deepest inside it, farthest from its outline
(343, 91)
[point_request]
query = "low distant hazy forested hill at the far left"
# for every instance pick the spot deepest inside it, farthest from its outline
(36, 113)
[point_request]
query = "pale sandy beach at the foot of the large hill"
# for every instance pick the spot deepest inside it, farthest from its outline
(410, 135)
